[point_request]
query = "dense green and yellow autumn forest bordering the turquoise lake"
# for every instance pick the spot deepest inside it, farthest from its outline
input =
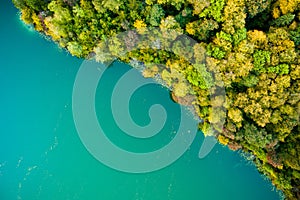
(251, 50)
